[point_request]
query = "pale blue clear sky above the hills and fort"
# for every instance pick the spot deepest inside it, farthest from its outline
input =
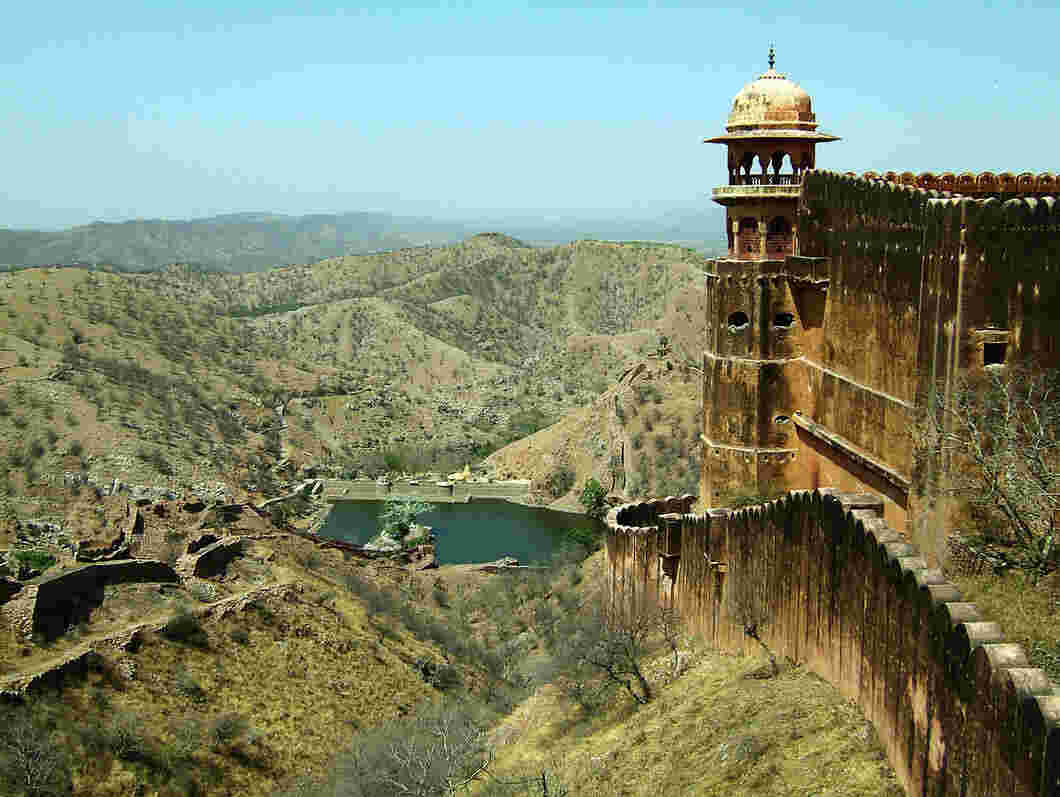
(115, 111)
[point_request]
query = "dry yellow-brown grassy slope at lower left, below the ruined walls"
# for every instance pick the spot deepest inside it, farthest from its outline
(310, 670)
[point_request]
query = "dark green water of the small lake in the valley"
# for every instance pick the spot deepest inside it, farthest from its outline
(480, 532)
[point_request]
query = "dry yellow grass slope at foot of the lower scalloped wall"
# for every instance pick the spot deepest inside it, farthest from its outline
(713, 732)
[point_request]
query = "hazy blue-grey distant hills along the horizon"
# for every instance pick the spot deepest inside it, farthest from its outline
(257, 242)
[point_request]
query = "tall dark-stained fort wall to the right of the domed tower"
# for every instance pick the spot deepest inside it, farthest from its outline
(920, 286)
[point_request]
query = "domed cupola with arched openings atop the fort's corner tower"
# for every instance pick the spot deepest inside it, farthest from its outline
(771, 137)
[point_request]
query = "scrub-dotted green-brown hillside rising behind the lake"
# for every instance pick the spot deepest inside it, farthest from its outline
(422, 360)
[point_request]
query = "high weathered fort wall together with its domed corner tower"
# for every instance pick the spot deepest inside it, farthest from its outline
(822, 348)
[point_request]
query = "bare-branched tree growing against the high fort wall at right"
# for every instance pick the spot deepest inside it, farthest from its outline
(994, 440)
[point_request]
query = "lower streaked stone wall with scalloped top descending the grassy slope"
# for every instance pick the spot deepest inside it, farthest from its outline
(959, 712)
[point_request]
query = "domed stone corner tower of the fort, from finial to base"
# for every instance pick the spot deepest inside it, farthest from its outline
(763, 307)
